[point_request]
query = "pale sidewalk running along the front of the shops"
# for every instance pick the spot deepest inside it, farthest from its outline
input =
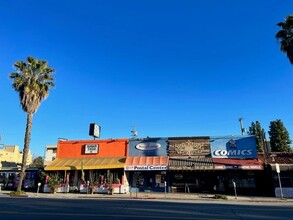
(155, 195)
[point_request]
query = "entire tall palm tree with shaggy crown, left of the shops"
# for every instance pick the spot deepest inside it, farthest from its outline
(32, 80)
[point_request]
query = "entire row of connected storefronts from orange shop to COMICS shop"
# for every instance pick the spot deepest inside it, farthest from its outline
(172, 164)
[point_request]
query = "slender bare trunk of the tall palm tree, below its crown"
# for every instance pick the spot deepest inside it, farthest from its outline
(27, 138)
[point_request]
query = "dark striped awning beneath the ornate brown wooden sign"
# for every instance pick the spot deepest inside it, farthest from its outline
(191, 164)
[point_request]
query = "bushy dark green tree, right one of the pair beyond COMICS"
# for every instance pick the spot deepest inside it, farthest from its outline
(279, 137)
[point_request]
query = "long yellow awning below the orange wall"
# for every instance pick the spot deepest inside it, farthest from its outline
(86, 163)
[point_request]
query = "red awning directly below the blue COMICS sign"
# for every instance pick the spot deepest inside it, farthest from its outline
(237, 164)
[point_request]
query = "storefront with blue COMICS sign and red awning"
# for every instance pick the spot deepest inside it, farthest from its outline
(236, 164)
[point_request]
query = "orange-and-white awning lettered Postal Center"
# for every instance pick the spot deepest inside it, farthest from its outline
(146, 163)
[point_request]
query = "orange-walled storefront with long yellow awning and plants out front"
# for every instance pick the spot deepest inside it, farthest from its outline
(89, 166)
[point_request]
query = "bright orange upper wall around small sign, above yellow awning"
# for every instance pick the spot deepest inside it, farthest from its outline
(107, 148)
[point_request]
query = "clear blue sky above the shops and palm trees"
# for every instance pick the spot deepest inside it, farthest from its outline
(171, 68)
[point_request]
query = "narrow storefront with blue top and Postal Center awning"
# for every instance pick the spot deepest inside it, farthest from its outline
(147, 164)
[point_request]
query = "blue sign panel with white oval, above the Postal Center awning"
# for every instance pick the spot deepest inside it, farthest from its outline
(148, 147)
